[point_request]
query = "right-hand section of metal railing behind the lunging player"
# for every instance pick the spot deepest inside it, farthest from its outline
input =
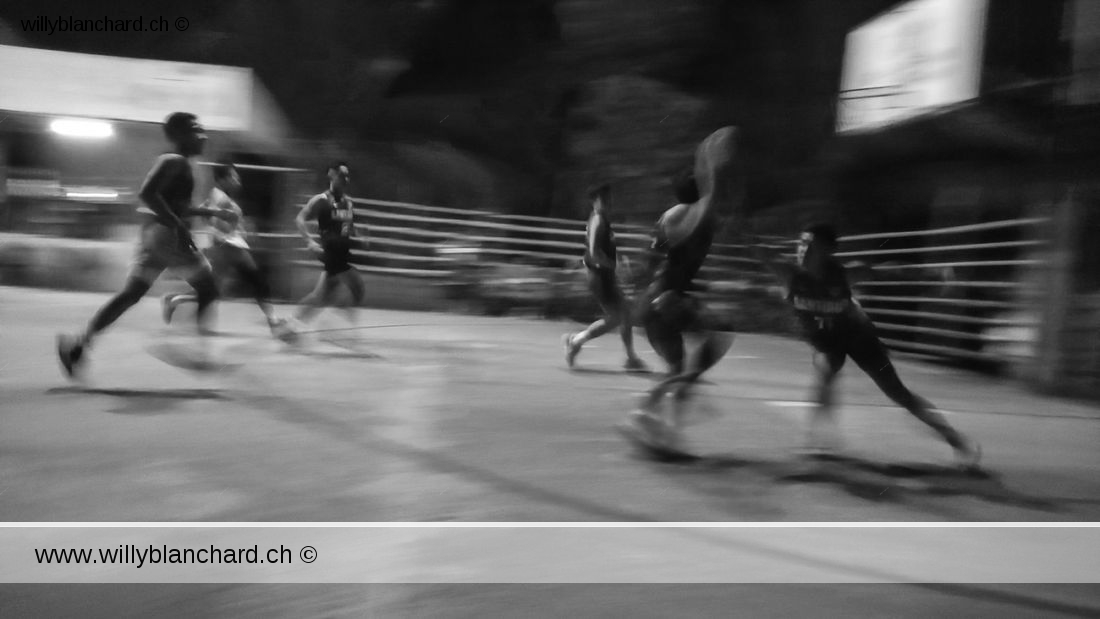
(978, 304)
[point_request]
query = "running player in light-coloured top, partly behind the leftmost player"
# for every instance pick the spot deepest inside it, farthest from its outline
(230, 253)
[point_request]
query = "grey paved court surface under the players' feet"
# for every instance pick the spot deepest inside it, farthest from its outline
(427, 417)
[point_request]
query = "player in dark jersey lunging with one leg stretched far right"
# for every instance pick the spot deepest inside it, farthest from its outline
(838, 328)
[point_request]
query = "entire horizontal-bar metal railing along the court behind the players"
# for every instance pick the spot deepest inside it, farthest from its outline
(959, 292)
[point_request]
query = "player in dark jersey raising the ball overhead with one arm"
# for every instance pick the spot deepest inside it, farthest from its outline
(681, 242)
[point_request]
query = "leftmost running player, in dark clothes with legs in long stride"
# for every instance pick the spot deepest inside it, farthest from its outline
(166, 238)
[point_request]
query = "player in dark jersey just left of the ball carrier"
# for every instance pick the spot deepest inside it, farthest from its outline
(600, 262)
